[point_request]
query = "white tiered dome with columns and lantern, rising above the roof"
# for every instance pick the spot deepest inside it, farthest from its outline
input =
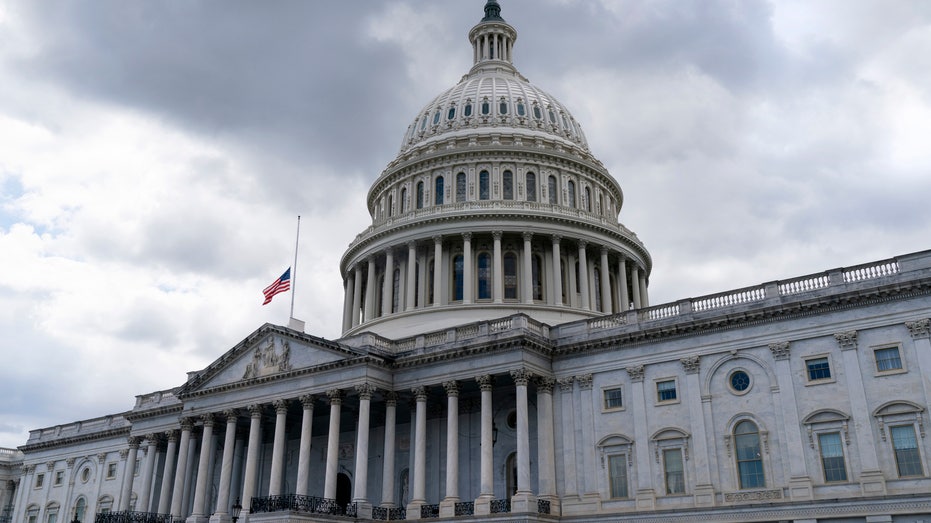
(494, 206)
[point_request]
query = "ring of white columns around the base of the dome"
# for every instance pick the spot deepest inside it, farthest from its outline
(495, 267)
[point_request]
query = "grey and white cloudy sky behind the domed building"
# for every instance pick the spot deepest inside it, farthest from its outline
(154, 157)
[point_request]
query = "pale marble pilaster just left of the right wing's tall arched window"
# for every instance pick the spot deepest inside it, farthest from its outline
(704, 490)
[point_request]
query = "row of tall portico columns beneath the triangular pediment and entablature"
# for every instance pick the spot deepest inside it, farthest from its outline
(183, 479)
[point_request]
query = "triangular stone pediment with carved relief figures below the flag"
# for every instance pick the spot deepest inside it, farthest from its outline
(268, 353)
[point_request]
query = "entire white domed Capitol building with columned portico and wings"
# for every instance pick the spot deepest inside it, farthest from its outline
(501, 361)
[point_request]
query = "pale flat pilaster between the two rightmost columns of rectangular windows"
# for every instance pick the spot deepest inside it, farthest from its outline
(872, 481)
